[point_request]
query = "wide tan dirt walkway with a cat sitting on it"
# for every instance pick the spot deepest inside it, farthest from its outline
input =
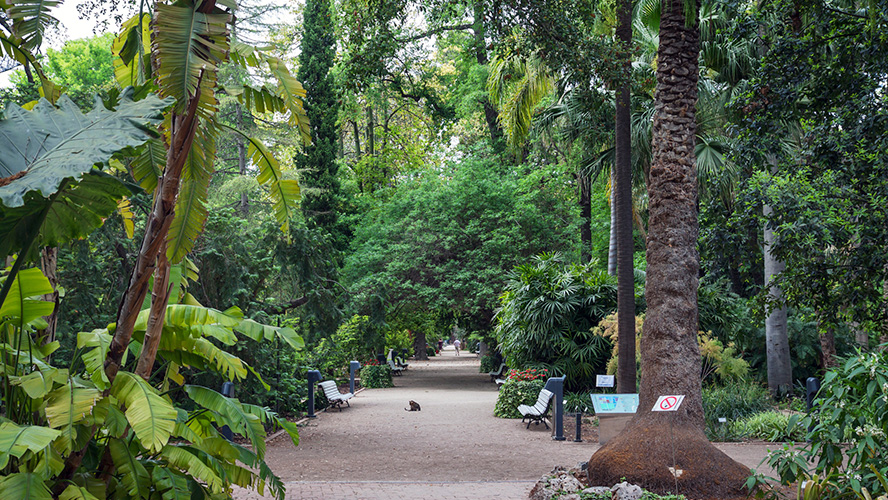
(454, 448)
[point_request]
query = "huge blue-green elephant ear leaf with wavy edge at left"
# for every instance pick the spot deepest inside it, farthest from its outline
(47, 180)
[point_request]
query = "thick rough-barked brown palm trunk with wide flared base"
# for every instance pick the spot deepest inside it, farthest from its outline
(654, 441)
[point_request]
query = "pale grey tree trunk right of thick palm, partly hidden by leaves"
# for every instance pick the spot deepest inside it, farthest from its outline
(776, 339)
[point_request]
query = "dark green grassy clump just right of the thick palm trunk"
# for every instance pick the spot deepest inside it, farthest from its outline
(733, 402)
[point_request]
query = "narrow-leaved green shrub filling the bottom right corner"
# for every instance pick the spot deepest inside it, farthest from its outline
(849, 422)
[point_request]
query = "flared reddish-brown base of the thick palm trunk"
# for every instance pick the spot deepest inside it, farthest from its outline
(645, 451)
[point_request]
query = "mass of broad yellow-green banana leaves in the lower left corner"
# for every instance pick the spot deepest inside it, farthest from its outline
(155, 449)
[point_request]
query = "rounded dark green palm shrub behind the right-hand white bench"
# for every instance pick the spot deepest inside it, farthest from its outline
(546, 316)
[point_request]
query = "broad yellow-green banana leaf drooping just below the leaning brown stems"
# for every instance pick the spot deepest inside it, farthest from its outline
(152, 417)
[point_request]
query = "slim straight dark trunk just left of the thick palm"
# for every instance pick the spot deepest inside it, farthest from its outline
(622, 189)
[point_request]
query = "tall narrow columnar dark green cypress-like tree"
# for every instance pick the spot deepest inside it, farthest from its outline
(318, 161)
